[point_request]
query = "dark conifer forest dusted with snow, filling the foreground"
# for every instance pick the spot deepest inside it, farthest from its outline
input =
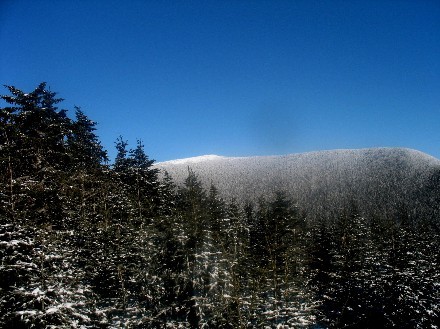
(88, 244)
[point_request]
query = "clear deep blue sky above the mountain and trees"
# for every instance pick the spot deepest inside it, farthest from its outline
(235, 77)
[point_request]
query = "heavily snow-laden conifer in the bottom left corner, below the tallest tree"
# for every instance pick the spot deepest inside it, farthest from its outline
(42, 285)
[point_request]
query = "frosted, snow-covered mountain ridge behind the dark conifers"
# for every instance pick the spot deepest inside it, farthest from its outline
(375, 179)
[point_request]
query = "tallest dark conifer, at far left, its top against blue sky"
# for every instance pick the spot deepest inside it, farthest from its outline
(39, 135)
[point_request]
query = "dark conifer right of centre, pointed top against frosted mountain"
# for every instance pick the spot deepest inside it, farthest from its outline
(279, 286)
